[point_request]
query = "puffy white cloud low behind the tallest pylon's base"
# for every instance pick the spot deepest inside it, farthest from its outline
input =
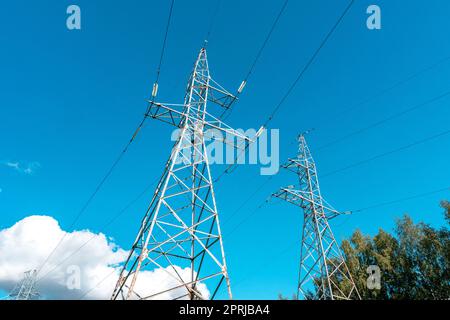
(26, 245)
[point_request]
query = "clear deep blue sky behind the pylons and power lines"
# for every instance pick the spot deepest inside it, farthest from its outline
(71, 100)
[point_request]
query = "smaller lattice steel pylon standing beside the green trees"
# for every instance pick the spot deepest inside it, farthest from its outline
(323, 273)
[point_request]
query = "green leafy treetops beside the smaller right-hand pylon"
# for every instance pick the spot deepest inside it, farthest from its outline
(414, 262)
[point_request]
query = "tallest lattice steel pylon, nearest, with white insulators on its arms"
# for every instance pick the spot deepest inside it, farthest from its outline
(180, 233)
